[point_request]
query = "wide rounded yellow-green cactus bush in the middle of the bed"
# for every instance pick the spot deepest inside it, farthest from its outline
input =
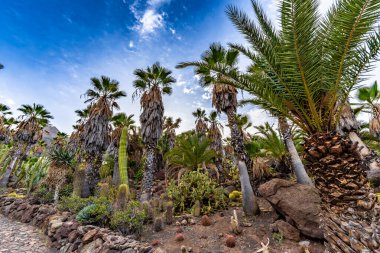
(196, 186)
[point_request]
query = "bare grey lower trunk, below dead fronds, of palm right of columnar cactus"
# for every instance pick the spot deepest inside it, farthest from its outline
(147, 182)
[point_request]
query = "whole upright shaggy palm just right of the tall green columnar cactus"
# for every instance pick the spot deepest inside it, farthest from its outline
(150, 84)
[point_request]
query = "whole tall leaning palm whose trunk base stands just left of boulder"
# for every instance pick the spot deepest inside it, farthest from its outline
(224, 99)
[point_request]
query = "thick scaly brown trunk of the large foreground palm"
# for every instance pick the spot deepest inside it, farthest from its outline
(350, 211)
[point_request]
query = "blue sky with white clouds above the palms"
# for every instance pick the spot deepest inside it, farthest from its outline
(51, 49)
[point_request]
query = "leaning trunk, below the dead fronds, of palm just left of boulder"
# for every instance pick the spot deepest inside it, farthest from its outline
(249, 199)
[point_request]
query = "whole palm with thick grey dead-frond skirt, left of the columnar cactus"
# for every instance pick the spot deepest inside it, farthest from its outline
(95, 136)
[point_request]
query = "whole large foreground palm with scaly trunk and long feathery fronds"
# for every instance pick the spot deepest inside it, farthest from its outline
(305, 72)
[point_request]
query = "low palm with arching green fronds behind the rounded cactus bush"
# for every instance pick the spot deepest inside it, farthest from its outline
(191, 151)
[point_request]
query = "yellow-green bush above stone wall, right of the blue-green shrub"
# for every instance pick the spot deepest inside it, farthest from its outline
(131, 220)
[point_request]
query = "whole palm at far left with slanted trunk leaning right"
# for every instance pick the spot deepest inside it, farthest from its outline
(29, 130)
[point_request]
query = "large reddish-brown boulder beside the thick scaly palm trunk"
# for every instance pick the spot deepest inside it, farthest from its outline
(299, 204)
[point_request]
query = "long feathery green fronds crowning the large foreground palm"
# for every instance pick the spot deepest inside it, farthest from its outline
(306, 70)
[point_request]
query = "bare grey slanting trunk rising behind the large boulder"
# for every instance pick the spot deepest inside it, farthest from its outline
(297, 165)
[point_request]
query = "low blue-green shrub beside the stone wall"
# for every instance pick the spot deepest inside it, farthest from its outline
(96, 213)
